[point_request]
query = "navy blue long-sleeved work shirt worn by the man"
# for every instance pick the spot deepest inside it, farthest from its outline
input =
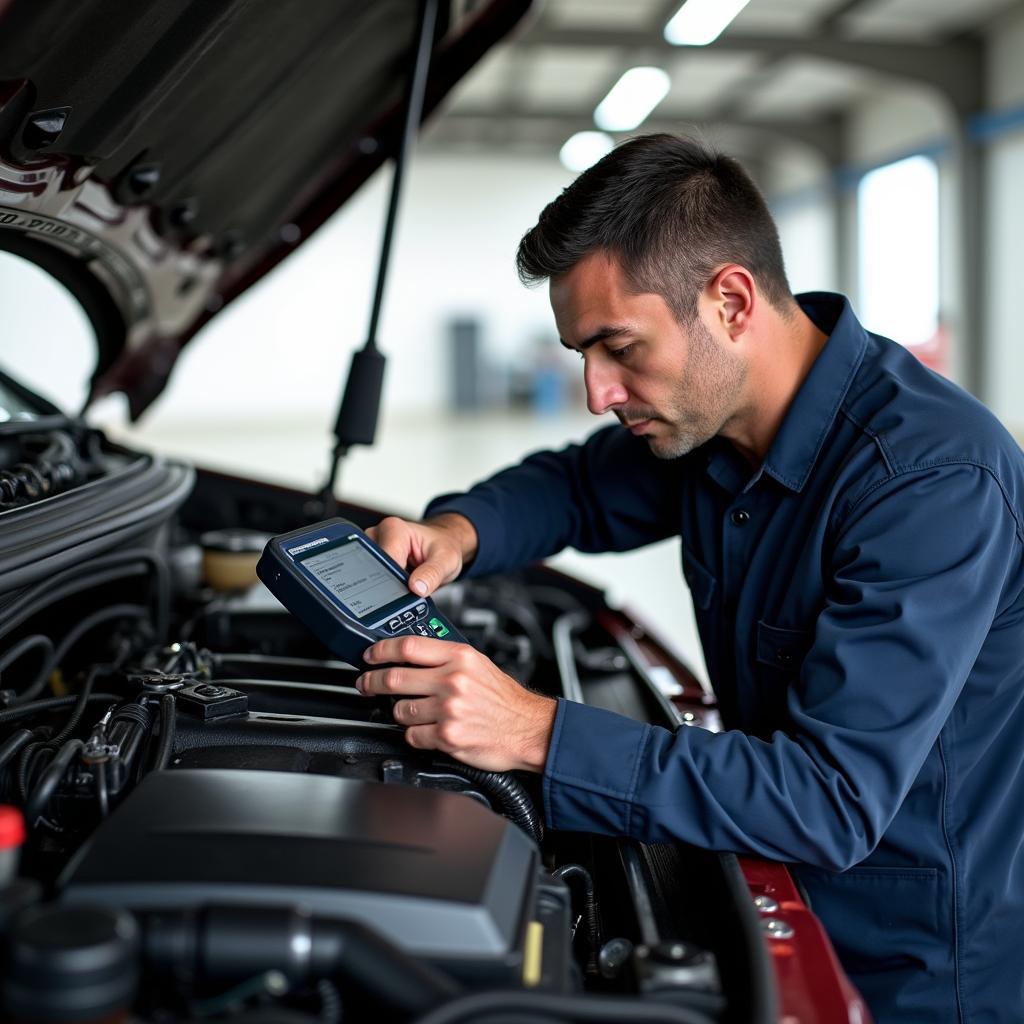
(861, 602)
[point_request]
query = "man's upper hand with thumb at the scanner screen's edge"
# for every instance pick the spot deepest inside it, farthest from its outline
(434, 552)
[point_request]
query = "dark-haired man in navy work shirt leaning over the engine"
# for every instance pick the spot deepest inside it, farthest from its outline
(852, 539)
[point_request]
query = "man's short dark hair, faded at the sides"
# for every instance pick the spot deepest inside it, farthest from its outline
(671, 210)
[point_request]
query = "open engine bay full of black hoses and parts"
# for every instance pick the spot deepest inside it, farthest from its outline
(220, 827)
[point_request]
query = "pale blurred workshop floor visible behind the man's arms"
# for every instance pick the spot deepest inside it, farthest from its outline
(412, 462)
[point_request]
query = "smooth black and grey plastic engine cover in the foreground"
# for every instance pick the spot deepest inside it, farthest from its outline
(435, 873)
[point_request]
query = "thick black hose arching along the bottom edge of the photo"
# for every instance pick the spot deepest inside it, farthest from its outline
(479, 1007)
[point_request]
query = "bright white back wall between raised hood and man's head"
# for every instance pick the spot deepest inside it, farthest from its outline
(282, 351)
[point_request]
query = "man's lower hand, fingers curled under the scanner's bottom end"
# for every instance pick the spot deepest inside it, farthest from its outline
(466, 706)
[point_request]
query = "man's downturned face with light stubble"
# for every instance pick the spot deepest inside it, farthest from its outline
(675, 387)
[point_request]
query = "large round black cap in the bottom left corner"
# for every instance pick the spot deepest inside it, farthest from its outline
(68, 964)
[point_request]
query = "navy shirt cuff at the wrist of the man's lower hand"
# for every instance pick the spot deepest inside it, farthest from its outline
(591, 774)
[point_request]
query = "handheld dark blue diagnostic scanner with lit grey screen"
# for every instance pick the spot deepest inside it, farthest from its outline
(347, 589)
